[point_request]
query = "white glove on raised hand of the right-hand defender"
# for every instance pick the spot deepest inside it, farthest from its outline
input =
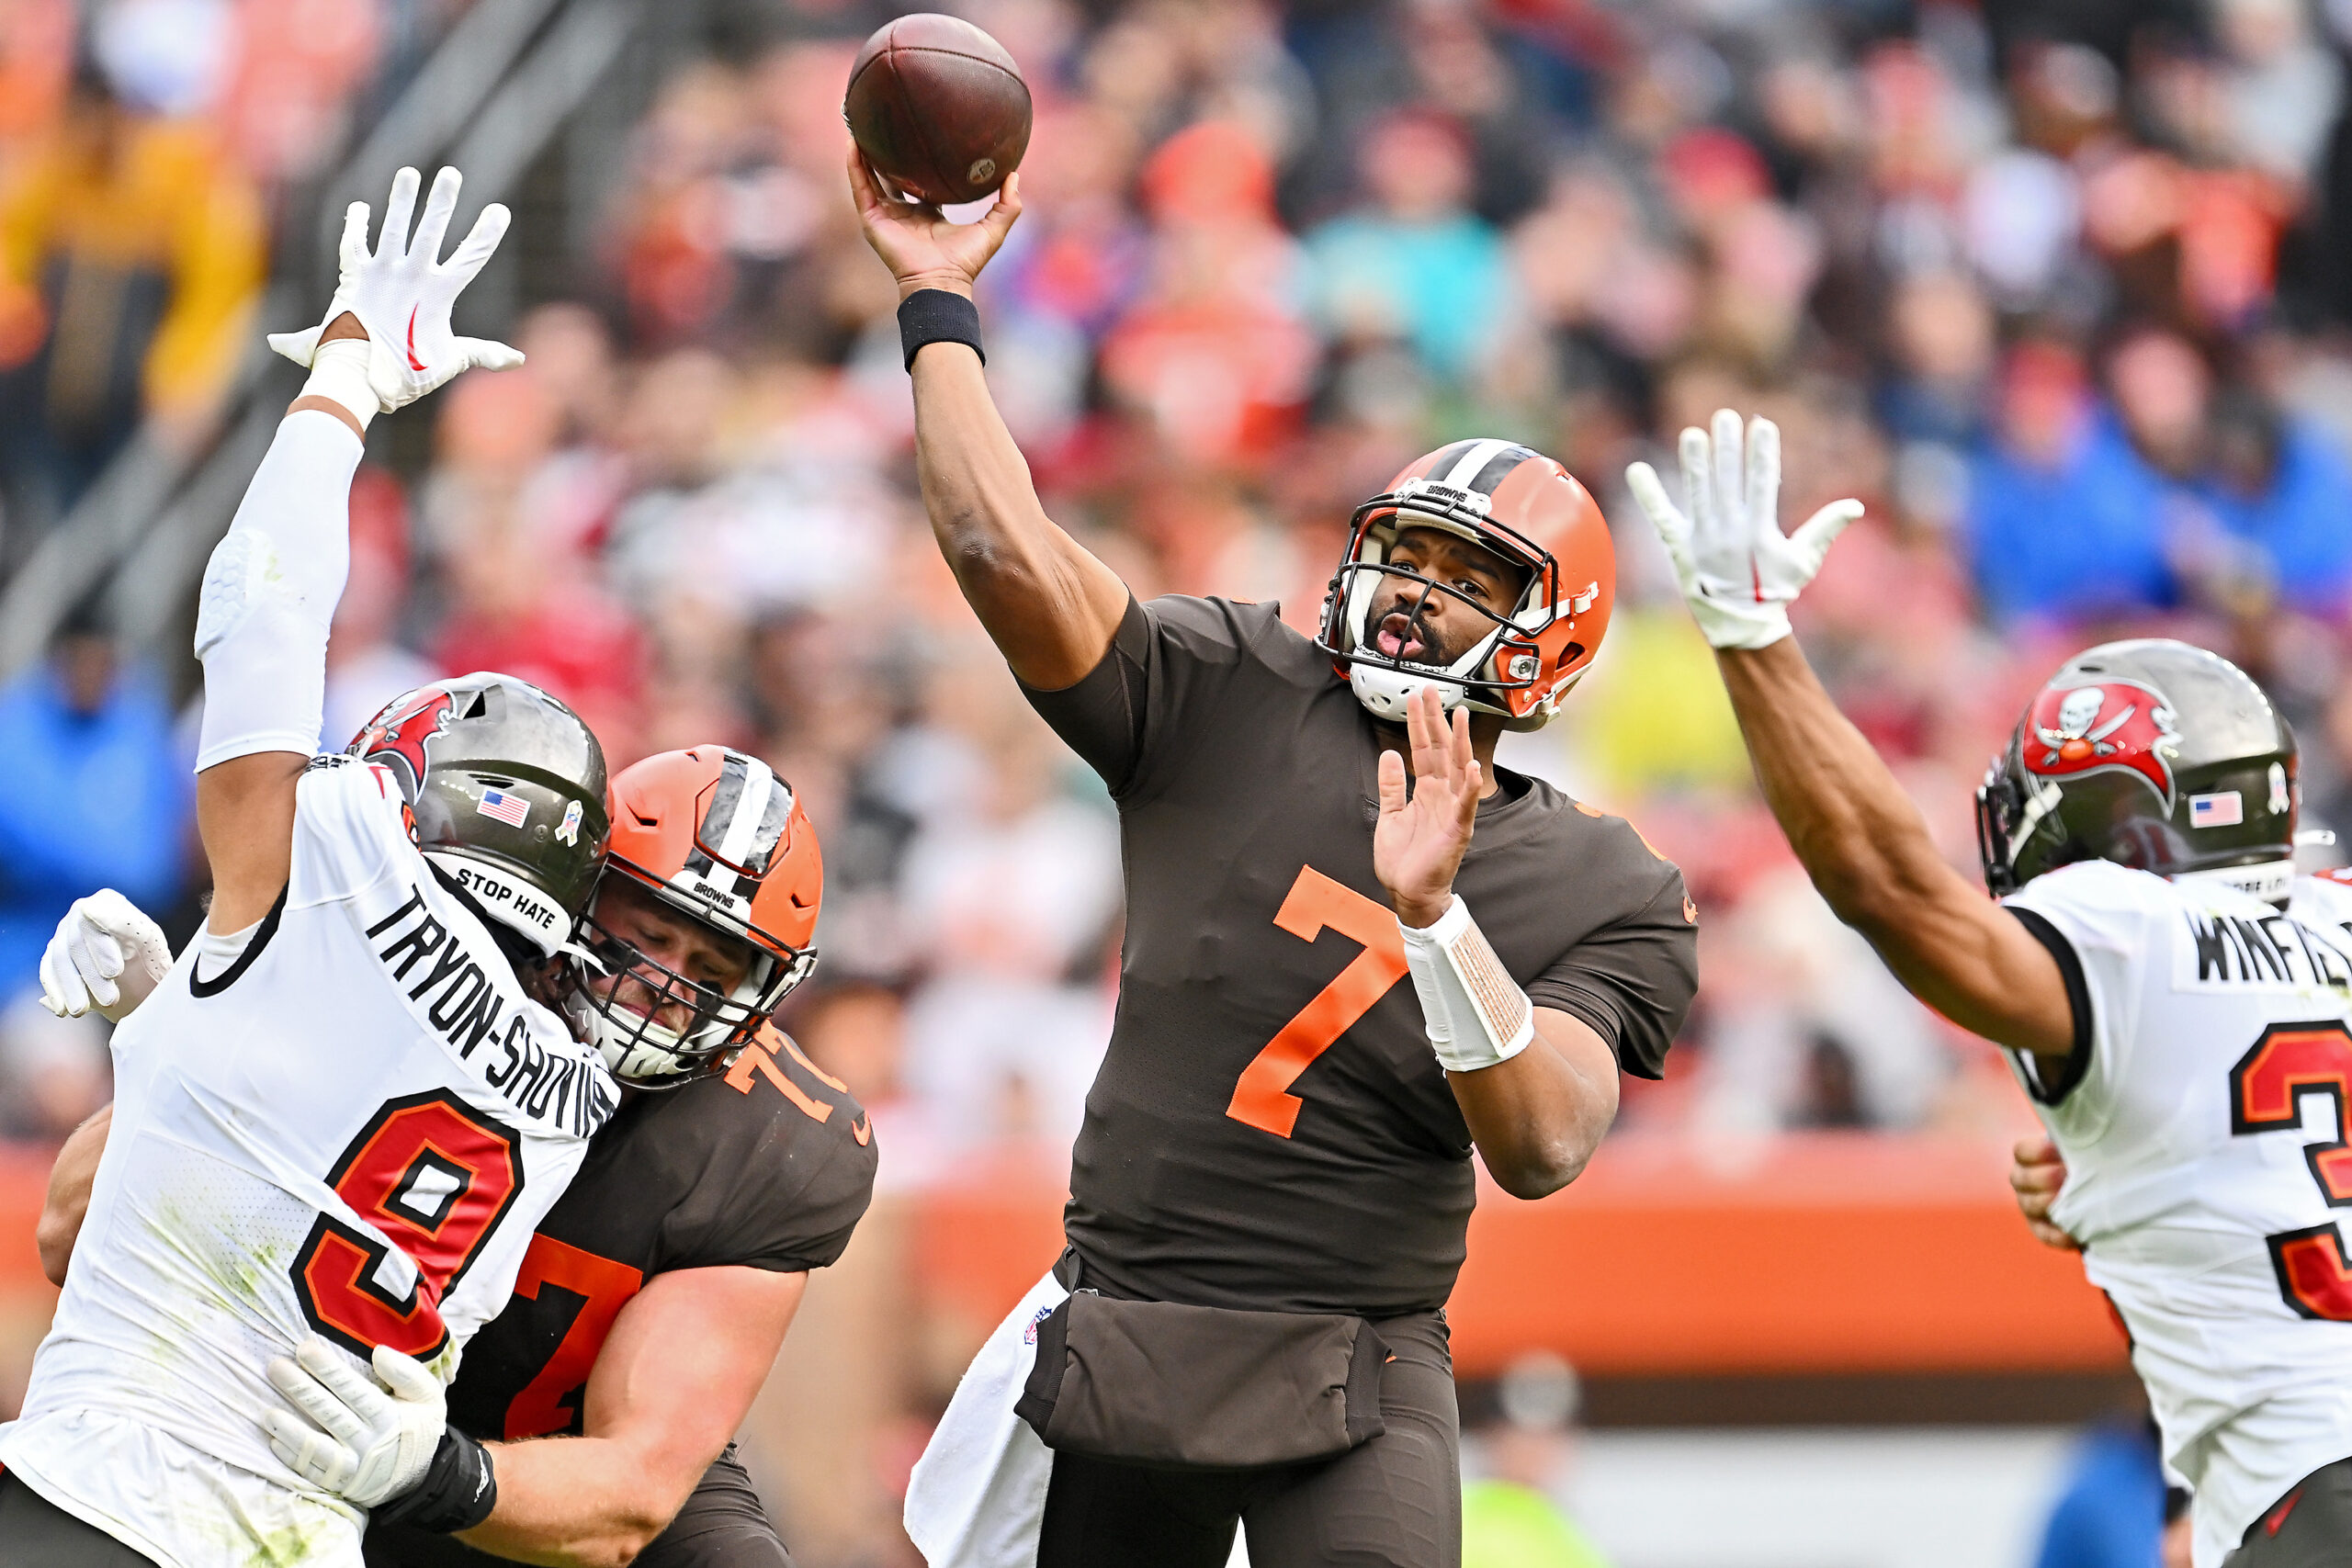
(1737, 570)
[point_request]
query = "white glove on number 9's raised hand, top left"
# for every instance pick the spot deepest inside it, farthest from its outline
(403, 295)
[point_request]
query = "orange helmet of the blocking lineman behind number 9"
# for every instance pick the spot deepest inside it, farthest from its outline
(719, 838)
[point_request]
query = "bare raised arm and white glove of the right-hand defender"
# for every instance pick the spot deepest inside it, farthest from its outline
(1859, 836)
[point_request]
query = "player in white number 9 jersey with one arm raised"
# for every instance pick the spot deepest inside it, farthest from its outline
(349, 1104)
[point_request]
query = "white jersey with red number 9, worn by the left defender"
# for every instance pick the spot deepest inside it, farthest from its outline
(352, 1130)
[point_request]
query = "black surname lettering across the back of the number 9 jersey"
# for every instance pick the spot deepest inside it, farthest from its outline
(465, 1010)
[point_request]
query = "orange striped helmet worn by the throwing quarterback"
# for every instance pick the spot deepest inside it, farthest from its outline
(1530, 511)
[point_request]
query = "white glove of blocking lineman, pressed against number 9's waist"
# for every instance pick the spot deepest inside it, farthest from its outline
(363, 1445)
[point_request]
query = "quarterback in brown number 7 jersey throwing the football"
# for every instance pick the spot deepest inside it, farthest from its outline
(1356, 951)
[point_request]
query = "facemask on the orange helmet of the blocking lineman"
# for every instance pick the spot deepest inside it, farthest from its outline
(657, 1026)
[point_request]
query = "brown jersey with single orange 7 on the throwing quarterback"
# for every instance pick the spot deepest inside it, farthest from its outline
(1271, 1127)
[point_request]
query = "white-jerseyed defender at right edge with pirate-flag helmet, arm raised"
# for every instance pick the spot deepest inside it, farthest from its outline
(2172, 998)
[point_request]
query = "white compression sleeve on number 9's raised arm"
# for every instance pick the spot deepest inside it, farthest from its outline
(272, 591)
